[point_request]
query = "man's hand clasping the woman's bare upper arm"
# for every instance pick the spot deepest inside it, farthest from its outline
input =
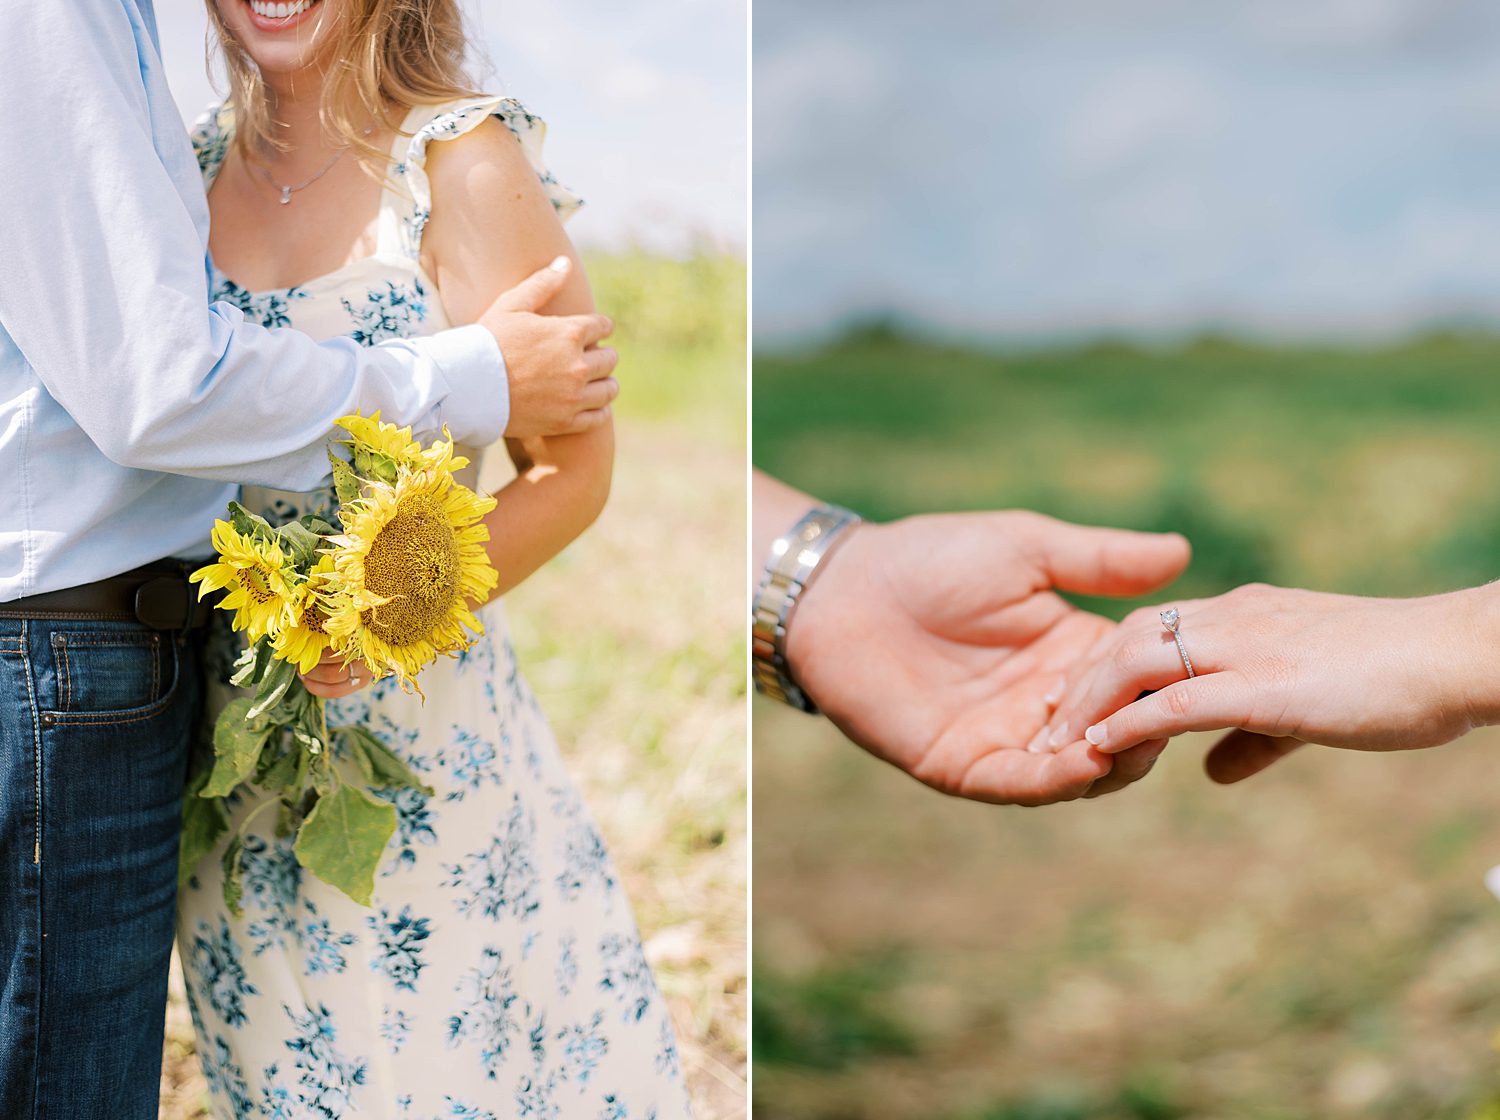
(560, 377)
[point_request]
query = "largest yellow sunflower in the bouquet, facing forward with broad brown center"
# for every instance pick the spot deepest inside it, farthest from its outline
(409, 563)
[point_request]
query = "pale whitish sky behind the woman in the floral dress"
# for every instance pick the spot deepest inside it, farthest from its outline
(646, 106)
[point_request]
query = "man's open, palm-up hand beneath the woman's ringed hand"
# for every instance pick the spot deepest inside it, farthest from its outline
(940, 645)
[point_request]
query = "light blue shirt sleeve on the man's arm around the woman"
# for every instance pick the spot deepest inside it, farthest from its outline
(104, 280)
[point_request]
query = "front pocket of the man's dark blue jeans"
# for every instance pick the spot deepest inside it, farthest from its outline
(112, 677)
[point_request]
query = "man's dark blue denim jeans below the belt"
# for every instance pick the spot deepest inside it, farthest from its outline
(95, 729)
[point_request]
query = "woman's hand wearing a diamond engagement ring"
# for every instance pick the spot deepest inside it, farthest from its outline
(1286, 668)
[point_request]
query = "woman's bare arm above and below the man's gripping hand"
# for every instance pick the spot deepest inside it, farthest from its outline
(491, 227)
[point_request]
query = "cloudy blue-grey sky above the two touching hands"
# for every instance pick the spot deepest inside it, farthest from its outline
(1006, 167)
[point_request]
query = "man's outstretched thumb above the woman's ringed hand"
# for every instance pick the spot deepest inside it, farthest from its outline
(1105, 561)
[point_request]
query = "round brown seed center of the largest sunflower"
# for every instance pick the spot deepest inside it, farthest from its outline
(415, 561)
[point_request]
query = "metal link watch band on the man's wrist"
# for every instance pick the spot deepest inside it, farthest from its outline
(794, 561)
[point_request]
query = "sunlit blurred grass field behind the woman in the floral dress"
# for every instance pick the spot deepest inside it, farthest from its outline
(641, 665)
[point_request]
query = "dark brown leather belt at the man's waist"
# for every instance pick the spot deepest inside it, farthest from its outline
(157, 596)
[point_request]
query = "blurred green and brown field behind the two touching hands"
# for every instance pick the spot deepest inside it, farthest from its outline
(1313, 945)
